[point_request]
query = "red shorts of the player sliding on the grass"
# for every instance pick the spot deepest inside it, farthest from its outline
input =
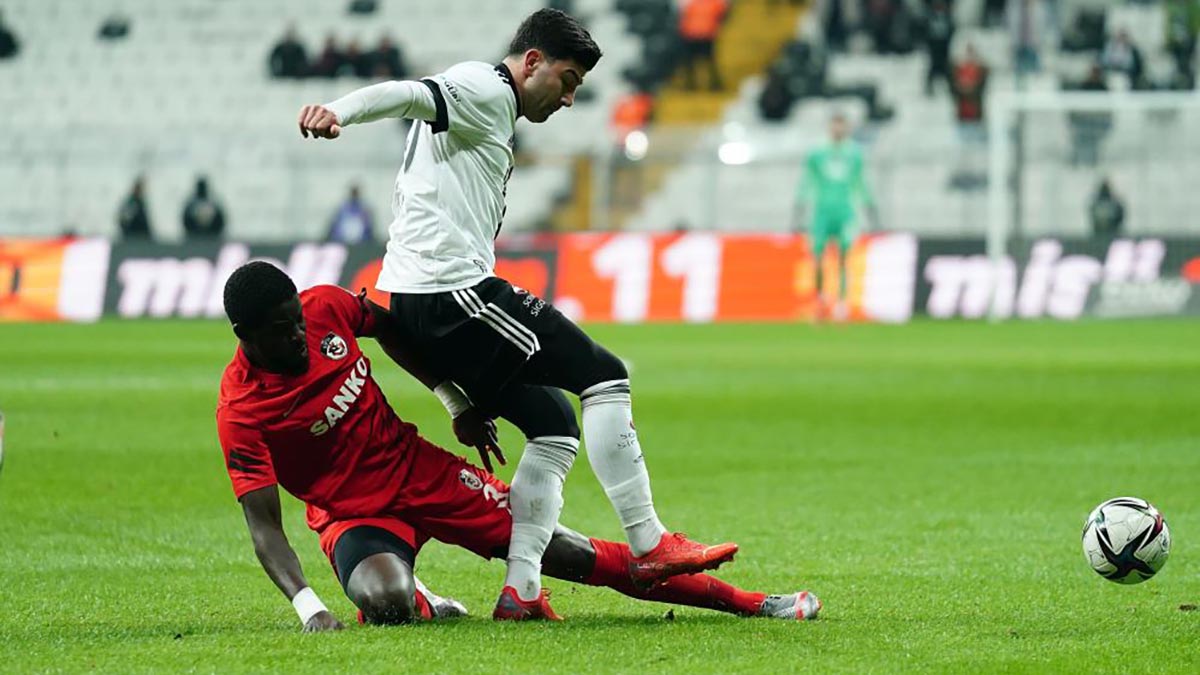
(446, 499)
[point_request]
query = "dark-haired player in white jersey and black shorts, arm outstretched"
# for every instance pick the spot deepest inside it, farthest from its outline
(511, 353)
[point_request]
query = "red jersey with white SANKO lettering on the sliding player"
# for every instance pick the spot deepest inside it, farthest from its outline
(328, 437)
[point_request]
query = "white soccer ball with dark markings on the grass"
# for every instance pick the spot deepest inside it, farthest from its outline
(1126, 541)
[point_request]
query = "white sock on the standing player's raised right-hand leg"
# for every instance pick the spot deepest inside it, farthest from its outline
(616, 458)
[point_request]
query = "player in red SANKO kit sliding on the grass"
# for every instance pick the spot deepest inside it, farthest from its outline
(299, 409)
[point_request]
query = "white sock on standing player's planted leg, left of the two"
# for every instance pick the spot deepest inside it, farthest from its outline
(537, 499)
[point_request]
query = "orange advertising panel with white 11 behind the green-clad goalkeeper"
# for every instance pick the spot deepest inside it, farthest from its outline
(701, 277)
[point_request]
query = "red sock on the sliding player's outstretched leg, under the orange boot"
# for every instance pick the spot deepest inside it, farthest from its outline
(693, 590)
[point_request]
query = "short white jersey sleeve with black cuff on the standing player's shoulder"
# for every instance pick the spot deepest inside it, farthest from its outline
(471, 100)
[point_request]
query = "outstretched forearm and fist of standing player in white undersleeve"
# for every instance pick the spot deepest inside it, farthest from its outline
(409, 100)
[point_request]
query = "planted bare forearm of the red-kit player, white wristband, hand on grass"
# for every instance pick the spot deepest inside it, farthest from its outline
(266, 523)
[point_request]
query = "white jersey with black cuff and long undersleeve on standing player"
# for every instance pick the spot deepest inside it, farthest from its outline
(449, 199)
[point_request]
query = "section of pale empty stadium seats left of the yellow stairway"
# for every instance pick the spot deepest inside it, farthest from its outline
(188, 92)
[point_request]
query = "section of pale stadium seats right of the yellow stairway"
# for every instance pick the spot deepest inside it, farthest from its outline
(926, 177)
